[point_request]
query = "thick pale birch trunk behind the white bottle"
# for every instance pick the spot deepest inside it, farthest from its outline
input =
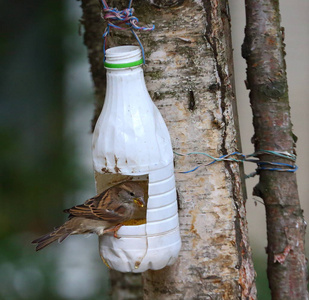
(189, 75)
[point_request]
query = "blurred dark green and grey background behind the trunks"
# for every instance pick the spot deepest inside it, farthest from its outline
(46, 103)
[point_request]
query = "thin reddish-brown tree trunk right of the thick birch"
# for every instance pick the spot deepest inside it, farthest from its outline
(263, 49)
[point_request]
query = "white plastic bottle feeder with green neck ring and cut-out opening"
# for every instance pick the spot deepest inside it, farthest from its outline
(131, 142)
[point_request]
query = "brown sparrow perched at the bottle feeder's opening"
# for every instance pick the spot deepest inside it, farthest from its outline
(100, 214)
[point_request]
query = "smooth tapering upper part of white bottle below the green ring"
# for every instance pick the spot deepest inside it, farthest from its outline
(130, 132)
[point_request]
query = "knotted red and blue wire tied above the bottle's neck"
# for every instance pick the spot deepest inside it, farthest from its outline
(117, 19)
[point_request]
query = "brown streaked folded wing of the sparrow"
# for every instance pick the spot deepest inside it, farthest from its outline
(99, 208)
